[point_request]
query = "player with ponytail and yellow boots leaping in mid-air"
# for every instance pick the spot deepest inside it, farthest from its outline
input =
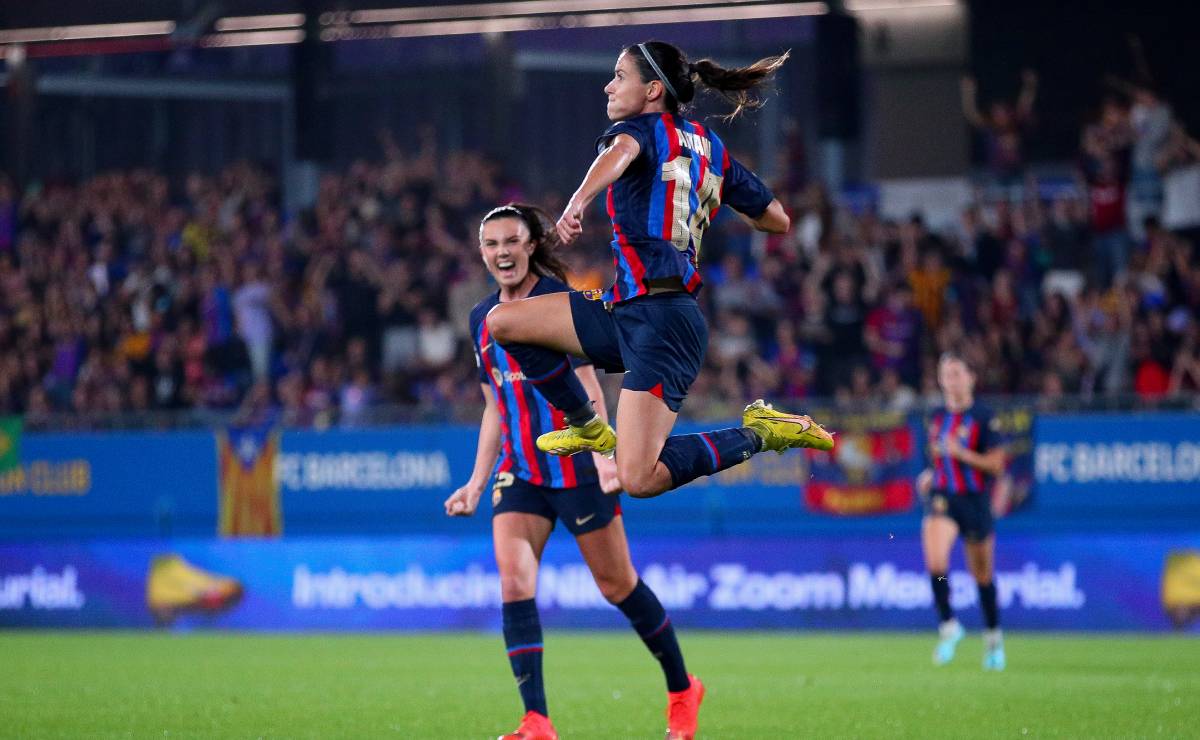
(665, 177)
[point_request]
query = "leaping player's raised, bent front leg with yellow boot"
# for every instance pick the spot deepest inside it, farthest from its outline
(539, 333)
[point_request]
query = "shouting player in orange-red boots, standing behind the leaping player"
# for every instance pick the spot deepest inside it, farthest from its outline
(532, 490)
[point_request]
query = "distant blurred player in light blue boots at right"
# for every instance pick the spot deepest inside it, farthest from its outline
(965, 458)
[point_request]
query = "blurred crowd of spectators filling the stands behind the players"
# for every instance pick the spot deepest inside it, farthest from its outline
(125, 294)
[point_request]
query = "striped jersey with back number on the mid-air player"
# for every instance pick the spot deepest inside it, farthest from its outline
(664, 202)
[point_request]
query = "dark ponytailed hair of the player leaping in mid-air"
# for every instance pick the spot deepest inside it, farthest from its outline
(737, 86)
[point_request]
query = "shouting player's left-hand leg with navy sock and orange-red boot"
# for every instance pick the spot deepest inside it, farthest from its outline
(520, 540)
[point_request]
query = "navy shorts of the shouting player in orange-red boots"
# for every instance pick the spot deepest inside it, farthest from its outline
(583, 509)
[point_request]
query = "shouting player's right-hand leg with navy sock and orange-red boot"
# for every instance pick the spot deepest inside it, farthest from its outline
(607, 552)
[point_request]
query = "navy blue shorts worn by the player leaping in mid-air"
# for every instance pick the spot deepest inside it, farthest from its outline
(658, 341)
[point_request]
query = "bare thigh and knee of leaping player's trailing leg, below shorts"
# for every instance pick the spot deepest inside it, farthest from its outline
(644, 424)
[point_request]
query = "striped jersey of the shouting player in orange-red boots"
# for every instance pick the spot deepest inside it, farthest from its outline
(525, 413)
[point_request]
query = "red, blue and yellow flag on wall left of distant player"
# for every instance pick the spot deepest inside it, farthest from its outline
(869, 472)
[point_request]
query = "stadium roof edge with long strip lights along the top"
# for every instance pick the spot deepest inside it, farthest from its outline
(111, 27)
